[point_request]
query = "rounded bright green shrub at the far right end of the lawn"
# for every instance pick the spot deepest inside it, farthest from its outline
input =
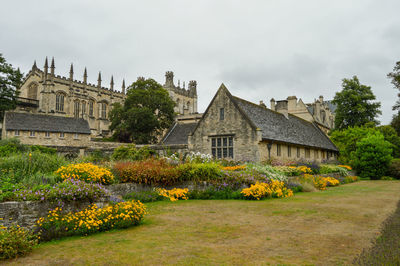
(373, 156)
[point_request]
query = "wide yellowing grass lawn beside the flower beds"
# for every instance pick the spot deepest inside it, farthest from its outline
(327, 227)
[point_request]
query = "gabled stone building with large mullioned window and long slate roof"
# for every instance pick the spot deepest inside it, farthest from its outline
(236, 129)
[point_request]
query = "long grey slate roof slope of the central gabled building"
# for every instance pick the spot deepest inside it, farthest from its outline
(277, 127)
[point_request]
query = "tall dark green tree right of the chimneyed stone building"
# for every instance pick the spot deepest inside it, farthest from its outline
(354, 105)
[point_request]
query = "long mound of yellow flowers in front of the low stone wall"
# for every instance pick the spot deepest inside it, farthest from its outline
(90, 220)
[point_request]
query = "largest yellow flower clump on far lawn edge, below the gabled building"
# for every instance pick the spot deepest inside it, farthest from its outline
(274, 188)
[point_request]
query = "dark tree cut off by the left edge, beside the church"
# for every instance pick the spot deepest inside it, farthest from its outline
(10, 81)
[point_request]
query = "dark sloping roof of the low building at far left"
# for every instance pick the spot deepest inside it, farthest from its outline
(50, 123)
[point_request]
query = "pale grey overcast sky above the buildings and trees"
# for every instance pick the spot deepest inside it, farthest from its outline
(258, 48)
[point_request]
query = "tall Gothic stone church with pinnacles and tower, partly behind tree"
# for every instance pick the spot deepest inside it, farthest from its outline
(44, 92)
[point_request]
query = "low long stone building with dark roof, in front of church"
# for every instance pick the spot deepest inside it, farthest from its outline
(49, 130)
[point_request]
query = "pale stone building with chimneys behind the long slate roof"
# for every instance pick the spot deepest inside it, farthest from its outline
(321, 112)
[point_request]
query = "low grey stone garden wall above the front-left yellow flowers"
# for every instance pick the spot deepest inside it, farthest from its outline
(26, 213)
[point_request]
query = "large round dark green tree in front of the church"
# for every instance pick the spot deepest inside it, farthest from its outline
(147, 112)
